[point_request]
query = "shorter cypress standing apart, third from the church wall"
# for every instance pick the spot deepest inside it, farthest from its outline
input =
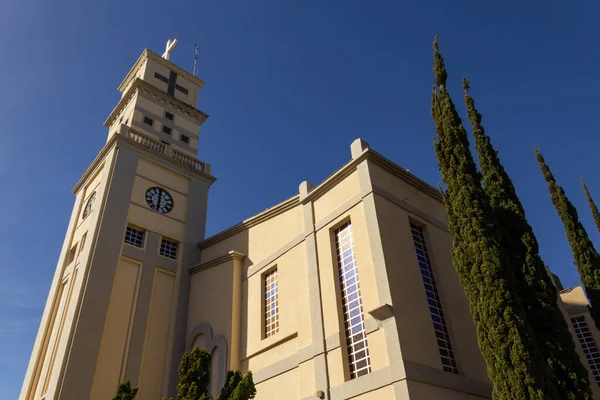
(585, 255)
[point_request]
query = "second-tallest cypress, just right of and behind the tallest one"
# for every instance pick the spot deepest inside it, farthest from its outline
(534, 287)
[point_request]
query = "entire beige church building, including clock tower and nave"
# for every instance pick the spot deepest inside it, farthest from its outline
(344, 291)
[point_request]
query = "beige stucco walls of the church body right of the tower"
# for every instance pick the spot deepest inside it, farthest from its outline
(281, 363)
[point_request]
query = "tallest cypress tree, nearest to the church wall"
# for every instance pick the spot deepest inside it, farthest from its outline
(515, 365)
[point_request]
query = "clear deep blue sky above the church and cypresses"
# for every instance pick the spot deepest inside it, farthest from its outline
(289, 85)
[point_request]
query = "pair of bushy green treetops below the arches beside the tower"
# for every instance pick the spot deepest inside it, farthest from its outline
(194, 380)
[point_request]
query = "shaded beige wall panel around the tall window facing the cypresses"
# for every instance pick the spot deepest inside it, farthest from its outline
(417, 338)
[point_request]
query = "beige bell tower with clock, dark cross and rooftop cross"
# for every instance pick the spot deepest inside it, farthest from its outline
(117, 305)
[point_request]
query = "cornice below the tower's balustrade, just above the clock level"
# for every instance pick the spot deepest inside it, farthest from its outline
(120, 140)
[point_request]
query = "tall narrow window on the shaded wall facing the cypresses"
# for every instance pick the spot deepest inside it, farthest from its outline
(433, 298)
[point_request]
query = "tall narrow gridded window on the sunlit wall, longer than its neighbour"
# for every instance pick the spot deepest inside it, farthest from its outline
(354, 321)
